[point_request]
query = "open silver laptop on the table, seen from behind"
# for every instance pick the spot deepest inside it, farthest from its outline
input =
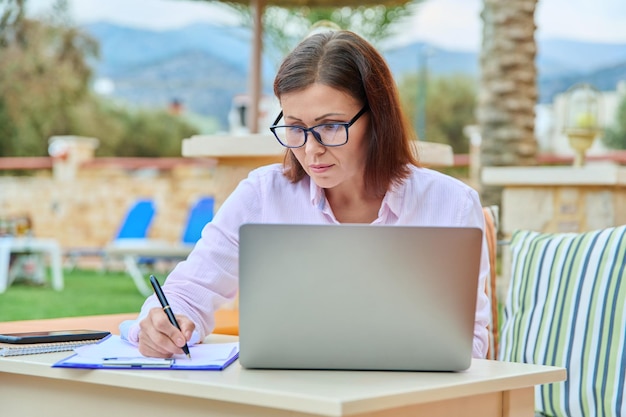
(357, 297)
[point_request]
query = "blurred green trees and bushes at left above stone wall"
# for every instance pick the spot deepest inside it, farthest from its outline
(45, 83)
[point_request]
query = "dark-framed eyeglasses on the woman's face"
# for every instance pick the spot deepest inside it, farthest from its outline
(327, 134)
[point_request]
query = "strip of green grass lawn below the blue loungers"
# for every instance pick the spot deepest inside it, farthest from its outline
(86, 293)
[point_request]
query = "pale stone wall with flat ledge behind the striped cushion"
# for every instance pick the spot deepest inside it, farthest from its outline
(554, 199)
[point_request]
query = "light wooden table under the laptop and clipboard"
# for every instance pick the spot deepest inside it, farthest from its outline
(30, 386)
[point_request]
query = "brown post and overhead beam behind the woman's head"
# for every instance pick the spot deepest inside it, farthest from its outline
(255, 64)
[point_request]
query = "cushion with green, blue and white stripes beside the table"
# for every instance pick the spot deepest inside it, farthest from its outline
(566, 306)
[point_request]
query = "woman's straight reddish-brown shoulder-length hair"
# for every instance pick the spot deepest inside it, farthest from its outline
(345, 61)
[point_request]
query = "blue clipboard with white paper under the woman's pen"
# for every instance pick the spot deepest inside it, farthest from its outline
(115, 353)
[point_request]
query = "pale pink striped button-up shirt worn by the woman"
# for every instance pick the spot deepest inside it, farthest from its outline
(209, 277)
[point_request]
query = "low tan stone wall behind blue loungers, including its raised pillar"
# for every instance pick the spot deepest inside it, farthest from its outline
(83, 201)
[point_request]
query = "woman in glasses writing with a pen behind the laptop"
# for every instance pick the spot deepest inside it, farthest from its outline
(349, 160)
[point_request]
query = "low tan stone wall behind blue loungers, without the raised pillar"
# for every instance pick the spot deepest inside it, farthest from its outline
(87, 211)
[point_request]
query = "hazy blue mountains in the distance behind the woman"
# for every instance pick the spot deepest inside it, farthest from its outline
(204, 66)
